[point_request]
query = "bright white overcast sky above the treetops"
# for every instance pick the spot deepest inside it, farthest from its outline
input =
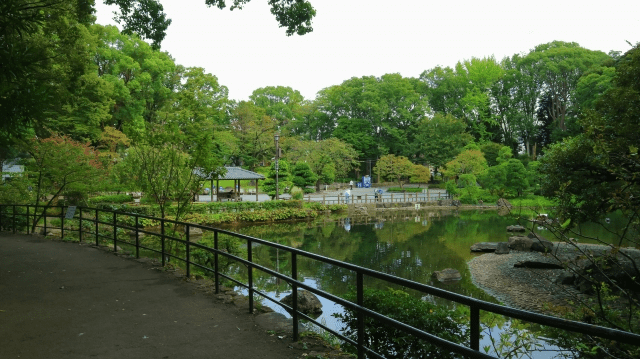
(247, 50)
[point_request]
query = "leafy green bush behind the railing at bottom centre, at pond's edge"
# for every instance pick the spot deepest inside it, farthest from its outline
(393, 343)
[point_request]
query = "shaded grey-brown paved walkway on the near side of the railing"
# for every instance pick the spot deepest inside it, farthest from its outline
(66, 300)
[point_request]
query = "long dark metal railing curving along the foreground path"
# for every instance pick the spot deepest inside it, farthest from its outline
(17, 217)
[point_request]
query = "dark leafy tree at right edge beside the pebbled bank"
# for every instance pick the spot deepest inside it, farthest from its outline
(591, 175)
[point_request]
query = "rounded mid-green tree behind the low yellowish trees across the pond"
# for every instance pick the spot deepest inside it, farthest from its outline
(439, 139)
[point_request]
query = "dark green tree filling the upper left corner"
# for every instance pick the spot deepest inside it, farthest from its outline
(42, 52)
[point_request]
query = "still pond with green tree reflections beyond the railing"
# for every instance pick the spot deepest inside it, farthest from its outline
(410, 245)
